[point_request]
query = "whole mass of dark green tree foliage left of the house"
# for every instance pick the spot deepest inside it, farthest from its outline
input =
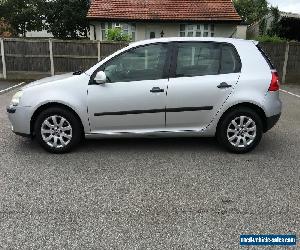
(65, 19)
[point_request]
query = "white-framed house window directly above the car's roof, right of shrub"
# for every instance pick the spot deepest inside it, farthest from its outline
(197, 30)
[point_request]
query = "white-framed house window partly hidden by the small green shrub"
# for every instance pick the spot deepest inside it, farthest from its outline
(127, 28)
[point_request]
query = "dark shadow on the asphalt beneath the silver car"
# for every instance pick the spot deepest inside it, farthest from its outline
(178, 144)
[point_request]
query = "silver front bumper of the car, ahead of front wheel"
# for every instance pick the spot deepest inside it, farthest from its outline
(20, 119)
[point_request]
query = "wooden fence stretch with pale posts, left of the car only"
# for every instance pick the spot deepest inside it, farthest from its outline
(35, 58)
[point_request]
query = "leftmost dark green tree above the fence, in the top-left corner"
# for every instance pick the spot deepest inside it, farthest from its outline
(22, 15)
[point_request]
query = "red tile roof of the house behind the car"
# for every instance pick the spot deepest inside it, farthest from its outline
(165, 10)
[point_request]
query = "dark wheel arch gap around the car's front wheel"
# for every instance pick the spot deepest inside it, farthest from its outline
(51, 105)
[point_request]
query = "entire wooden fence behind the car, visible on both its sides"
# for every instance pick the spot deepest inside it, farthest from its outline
(35, 58)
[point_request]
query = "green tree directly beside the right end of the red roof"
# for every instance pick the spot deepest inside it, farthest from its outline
(251, 10)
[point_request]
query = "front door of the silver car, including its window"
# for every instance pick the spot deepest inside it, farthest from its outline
(134, 97)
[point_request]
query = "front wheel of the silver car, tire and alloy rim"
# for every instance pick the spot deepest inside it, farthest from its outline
(60, 138)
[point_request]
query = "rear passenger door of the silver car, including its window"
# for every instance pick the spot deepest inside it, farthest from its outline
(203, 76)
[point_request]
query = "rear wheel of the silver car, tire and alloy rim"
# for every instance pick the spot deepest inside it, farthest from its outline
(236, 138)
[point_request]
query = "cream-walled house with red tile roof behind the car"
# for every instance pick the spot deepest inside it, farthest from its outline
(145, 19)
